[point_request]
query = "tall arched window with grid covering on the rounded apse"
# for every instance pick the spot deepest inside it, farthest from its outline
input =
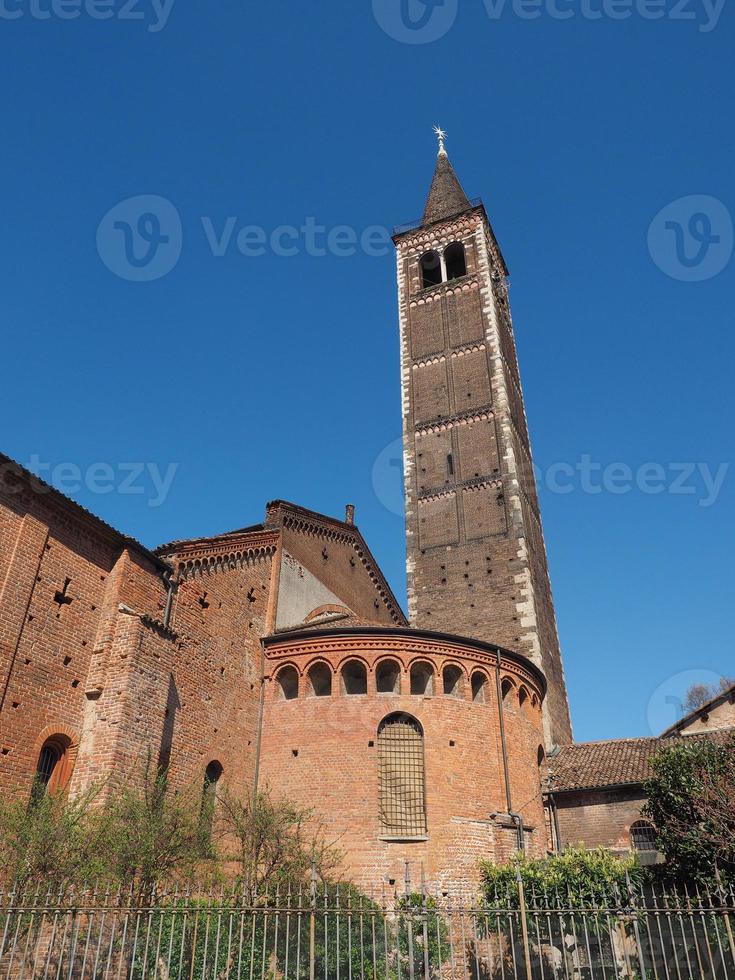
(401, 778)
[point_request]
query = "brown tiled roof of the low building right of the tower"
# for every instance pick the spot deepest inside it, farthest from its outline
(592, 765)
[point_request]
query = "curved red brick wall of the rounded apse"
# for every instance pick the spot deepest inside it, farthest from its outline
(319, 752)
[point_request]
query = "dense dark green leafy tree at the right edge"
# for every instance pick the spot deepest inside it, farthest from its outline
(691, 801)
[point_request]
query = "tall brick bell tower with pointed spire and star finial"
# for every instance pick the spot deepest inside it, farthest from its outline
(476, 558)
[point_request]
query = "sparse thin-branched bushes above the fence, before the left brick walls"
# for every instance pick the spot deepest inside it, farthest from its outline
(142, 832)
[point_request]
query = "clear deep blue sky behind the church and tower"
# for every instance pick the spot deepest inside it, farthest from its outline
(270, 375)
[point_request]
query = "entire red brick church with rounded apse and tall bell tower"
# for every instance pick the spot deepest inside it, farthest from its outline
(276, 655)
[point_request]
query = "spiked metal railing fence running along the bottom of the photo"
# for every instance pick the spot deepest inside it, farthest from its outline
(337, 933)
